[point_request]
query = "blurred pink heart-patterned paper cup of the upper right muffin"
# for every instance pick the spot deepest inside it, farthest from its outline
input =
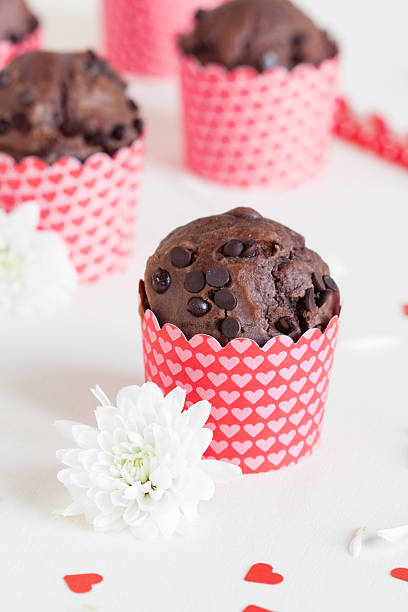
(247, 128)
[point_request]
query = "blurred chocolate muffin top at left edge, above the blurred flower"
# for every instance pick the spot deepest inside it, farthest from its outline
(55, 105)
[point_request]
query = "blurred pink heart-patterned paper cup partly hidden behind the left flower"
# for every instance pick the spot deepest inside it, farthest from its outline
(92, 204)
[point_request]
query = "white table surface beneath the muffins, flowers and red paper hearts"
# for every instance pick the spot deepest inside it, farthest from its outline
(299, 519)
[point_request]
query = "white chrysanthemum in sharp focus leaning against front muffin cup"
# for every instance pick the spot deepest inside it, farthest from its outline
(142, 467)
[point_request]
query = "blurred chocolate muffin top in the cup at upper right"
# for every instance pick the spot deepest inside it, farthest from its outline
(257, 33)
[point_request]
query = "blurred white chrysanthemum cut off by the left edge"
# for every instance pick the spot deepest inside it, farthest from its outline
(36, 274)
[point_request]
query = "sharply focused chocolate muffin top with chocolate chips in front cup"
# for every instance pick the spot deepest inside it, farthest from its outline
(239, 275)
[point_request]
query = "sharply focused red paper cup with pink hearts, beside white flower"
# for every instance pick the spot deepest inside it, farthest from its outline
(267, 402)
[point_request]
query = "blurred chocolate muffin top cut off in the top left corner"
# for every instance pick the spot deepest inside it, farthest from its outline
(16, 20)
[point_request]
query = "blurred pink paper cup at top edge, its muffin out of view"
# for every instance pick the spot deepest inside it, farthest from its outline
(140, 35)
